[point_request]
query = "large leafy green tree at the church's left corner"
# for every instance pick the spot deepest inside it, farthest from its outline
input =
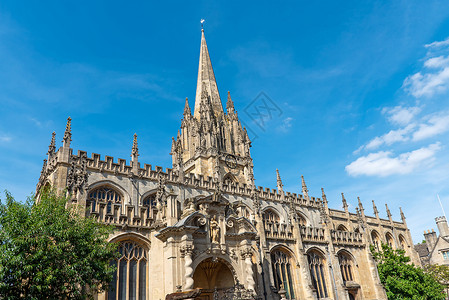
(49, 251)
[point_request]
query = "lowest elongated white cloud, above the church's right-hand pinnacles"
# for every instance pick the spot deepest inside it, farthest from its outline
(383, 164)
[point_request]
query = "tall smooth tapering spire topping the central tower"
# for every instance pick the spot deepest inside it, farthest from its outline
(206, 81)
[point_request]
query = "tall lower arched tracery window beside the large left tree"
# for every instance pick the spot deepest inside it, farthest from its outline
(130, 279)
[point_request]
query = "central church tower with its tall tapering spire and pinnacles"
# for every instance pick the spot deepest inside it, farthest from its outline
(211, 142)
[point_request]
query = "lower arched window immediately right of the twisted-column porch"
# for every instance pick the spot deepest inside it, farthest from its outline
(282, 271)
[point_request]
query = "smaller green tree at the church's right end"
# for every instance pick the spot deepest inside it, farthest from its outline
(404, 280)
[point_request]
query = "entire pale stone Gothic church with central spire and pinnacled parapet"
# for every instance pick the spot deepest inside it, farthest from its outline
(204, 229)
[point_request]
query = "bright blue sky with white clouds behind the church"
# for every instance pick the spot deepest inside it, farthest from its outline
(362, 88)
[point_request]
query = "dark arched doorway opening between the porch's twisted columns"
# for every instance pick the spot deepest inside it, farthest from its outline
(213, 275)
